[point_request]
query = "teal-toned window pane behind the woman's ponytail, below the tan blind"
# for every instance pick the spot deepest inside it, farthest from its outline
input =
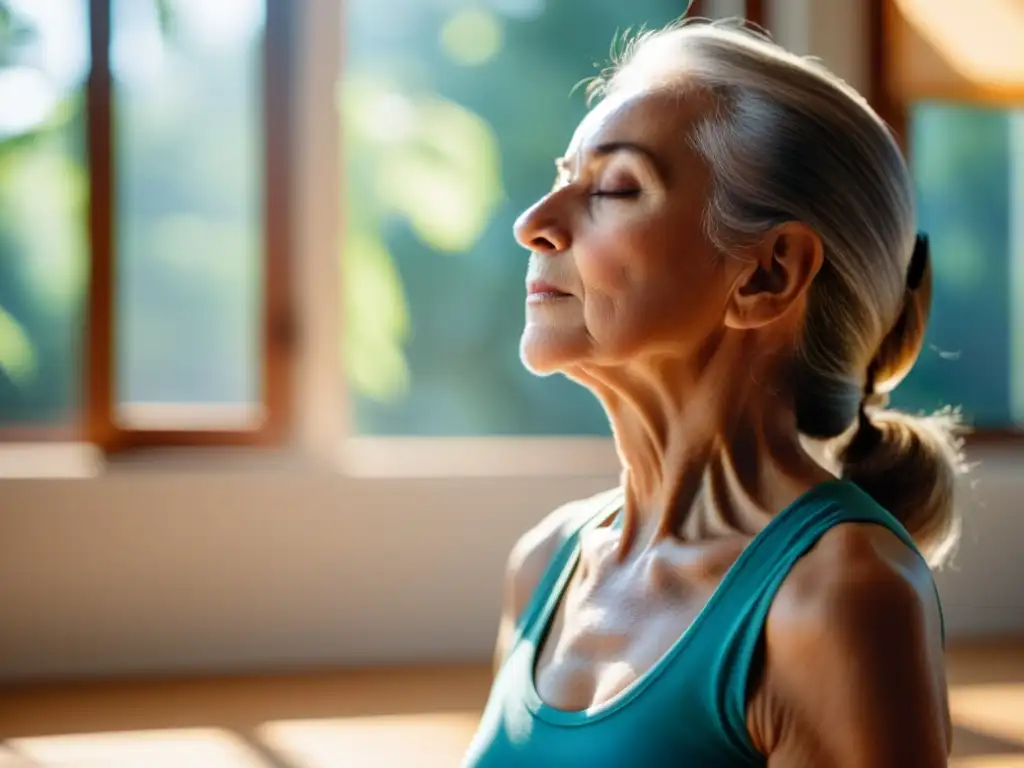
(968, 176)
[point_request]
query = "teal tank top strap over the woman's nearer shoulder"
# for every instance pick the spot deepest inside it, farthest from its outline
(756, 578)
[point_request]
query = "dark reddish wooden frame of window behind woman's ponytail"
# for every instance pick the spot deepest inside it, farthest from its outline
(883, 17)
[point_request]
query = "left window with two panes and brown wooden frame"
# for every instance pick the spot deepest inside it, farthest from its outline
(144, 221)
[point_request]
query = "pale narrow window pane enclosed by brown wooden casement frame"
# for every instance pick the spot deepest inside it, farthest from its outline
(190, 155)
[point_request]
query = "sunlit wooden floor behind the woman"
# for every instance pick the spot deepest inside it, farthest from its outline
(416, 718)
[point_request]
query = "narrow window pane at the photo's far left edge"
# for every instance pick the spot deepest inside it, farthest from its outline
(44, 208)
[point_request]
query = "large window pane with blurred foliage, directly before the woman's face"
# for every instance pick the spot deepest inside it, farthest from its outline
(452, 116)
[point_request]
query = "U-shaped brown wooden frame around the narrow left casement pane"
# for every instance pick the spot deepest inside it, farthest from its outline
(278, 333)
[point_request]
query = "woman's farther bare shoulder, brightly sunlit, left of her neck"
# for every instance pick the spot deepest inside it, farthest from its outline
(533, 553)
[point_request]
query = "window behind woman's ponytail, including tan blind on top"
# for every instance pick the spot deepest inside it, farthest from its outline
(960, 111)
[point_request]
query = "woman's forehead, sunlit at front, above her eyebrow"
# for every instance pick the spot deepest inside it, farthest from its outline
(658, 118)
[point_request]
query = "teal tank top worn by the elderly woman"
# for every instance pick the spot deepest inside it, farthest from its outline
(690, 709)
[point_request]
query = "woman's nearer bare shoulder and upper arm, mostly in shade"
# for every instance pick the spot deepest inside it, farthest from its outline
(855, 666)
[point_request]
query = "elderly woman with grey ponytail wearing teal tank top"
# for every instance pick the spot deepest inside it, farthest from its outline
(729, 261)
